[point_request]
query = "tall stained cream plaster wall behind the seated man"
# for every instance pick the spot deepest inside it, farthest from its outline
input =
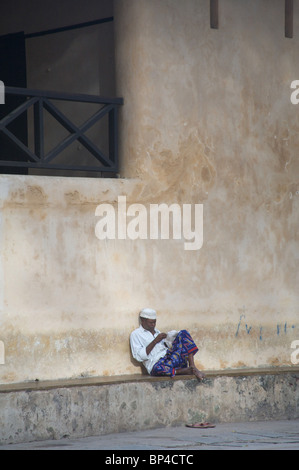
(207, 120)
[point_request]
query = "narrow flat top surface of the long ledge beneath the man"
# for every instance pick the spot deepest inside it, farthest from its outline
(122, 379)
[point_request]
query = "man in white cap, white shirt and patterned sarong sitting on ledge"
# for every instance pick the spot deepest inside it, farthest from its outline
(148, 346)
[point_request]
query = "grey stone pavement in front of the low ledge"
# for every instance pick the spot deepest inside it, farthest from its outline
(262, 435)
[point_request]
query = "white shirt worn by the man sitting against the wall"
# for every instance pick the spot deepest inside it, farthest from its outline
(139, 340)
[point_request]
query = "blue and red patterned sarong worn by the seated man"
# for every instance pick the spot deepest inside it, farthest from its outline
(176, 356)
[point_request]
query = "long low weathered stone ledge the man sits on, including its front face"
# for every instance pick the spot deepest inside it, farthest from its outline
(103, 405)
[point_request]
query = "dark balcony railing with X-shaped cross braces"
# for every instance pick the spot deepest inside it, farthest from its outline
(40, 155)
